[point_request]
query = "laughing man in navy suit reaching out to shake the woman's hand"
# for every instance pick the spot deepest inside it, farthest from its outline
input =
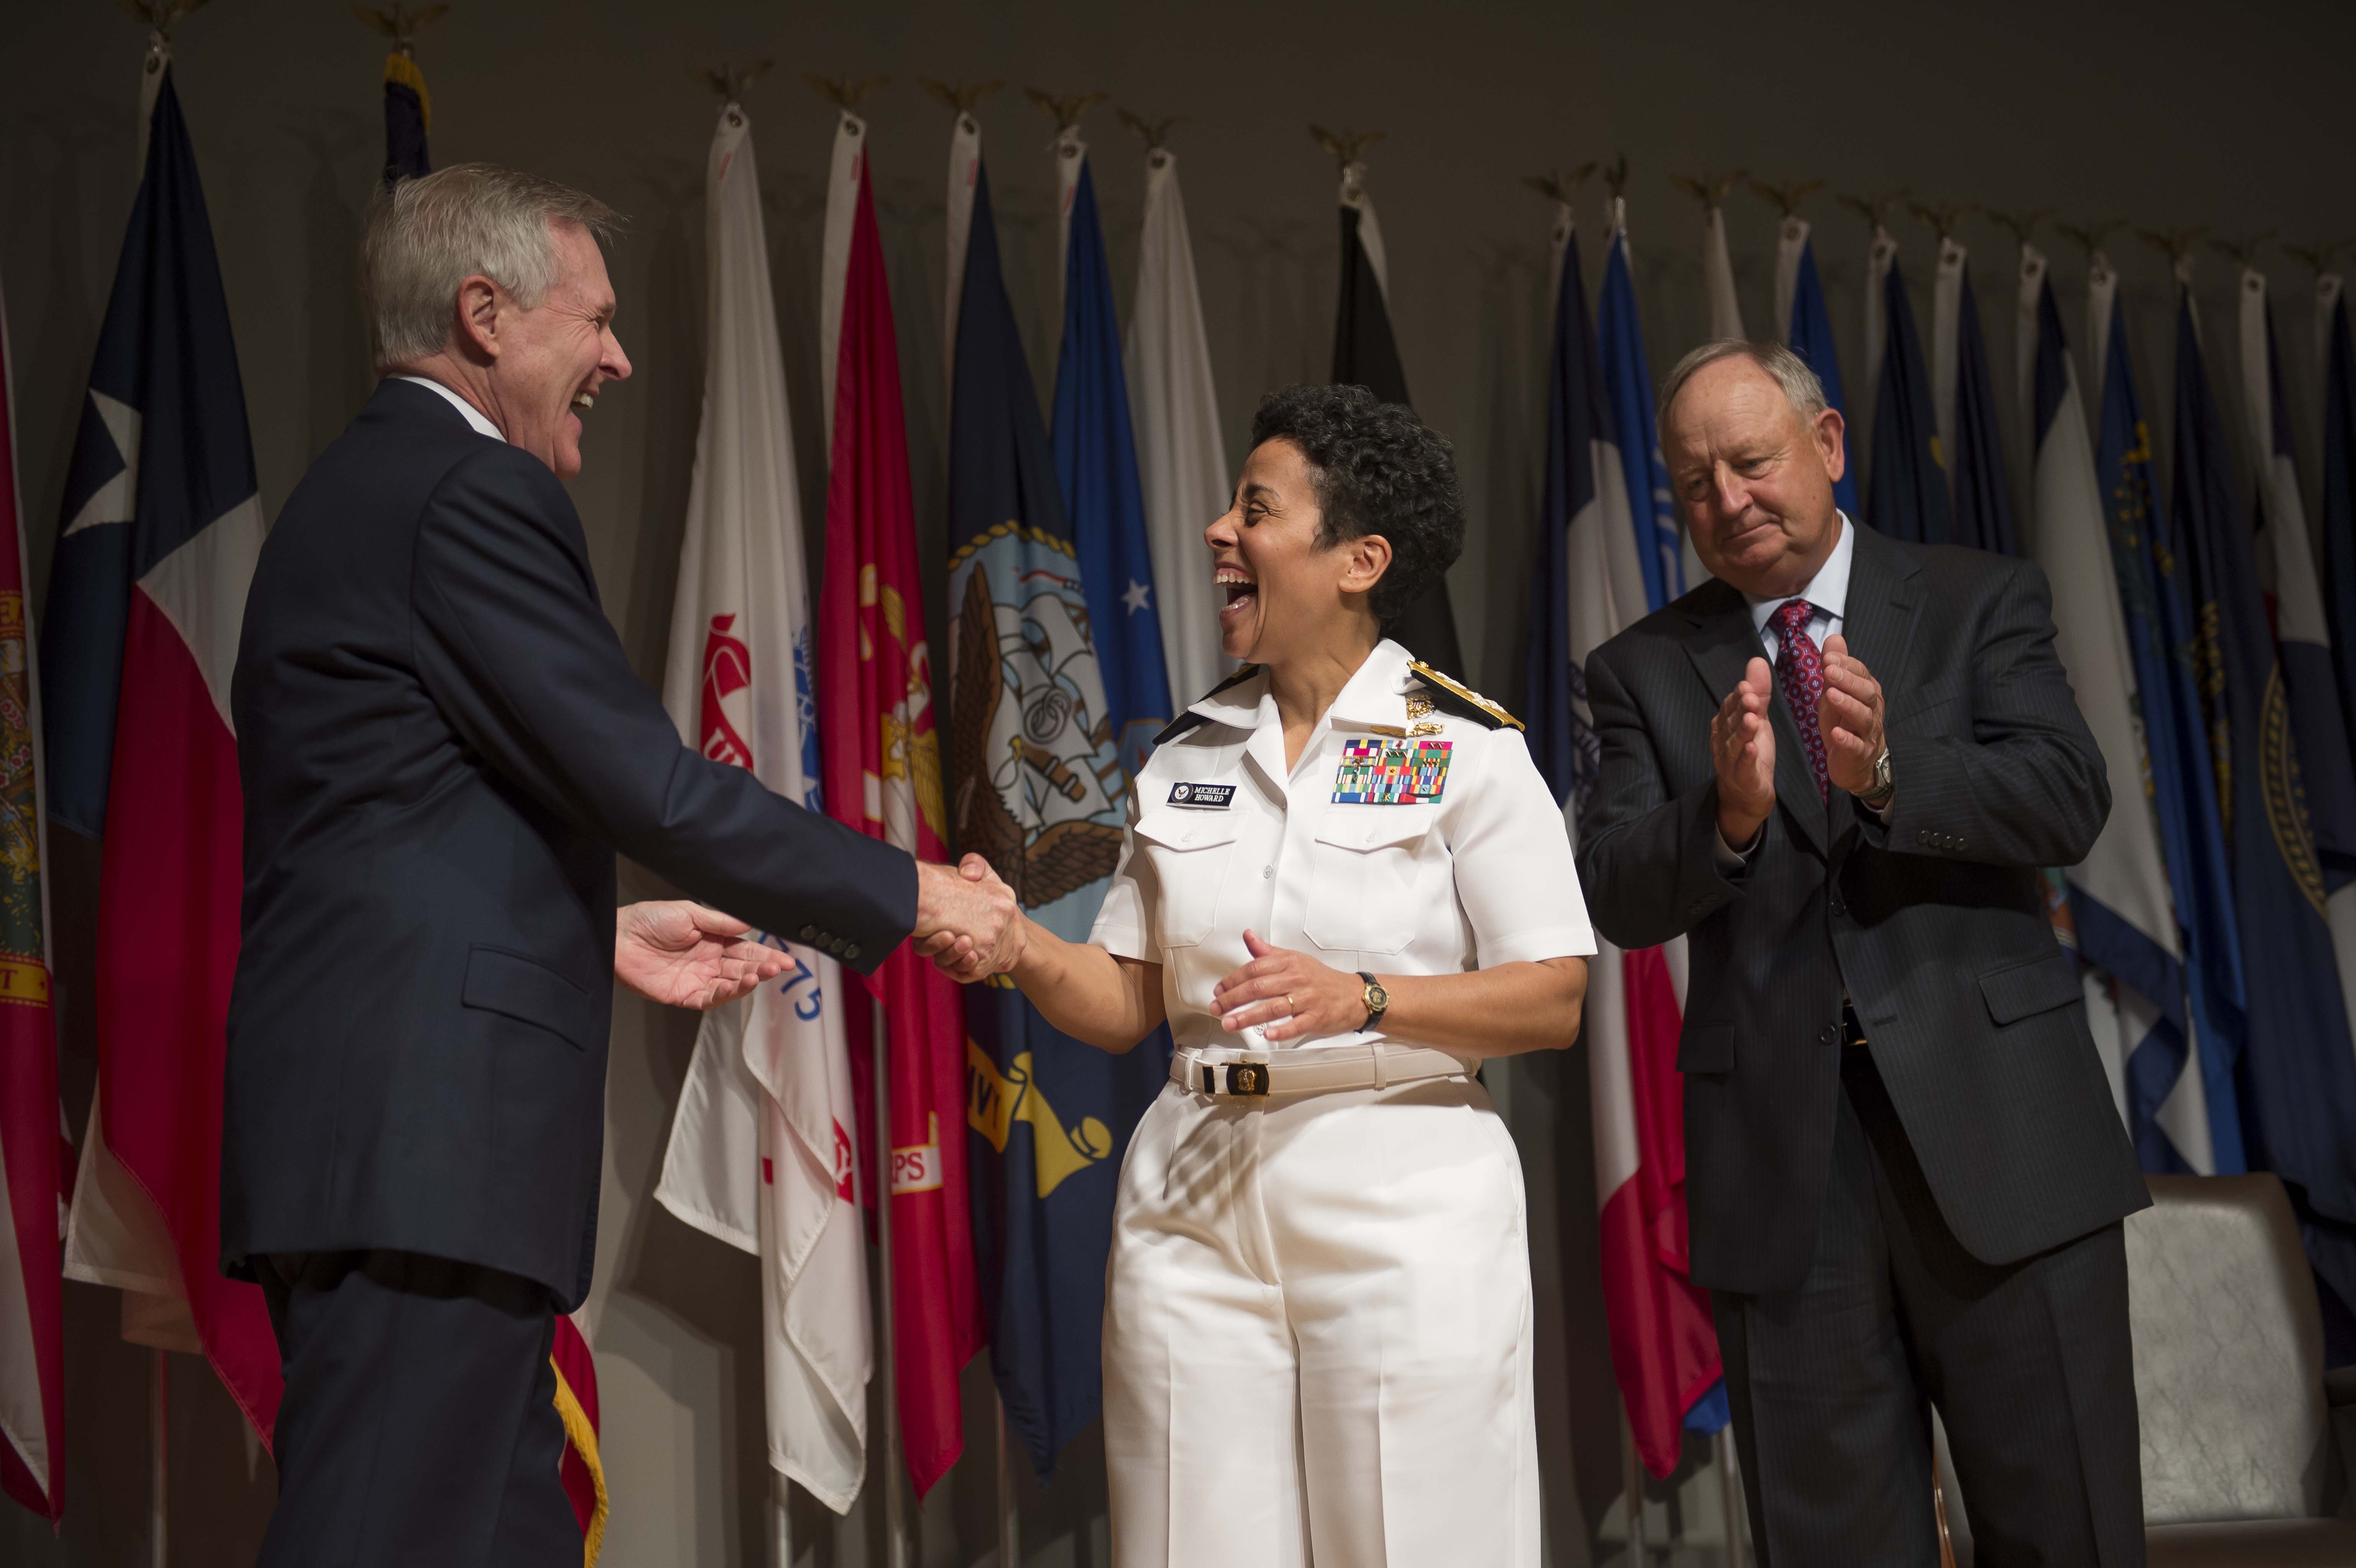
(442, 750)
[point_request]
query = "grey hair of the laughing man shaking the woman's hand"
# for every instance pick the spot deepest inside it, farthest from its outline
(430, 234)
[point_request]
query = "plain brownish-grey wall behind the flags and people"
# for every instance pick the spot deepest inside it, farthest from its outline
(2166, 117)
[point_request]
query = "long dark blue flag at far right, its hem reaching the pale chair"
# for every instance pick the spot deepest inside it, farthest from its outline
(2298, 1065)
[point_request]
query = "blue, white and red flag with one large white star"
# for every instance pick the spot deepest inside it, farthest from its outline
(147, 597)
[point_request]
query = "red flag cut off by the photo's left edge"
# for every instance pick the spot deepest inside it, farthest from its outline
(34, 1155)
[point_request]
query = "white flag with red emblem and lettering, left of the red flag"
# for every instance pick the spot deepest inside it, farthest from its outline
(765, 1143)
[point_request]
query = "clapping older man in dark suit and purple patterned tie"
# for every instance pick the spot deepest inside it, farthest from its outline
(1839, 771)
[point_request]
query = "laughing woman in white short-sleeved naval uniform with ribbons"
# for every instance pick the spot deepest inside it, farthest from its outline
(1344, 886)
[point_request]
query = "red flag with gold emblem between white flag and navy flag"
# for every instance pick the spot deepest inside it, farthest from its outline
(882, 762)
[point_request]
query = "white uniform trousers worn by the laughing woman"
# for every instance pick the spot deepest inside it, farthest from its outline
(1318, 1336)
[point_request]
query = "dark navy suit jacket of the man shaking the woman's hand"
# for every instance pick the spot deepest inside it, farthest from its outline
(442, 750)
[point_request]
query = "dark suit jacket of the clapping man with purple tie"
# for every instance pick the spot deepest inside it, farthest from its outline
(1933, 924)
